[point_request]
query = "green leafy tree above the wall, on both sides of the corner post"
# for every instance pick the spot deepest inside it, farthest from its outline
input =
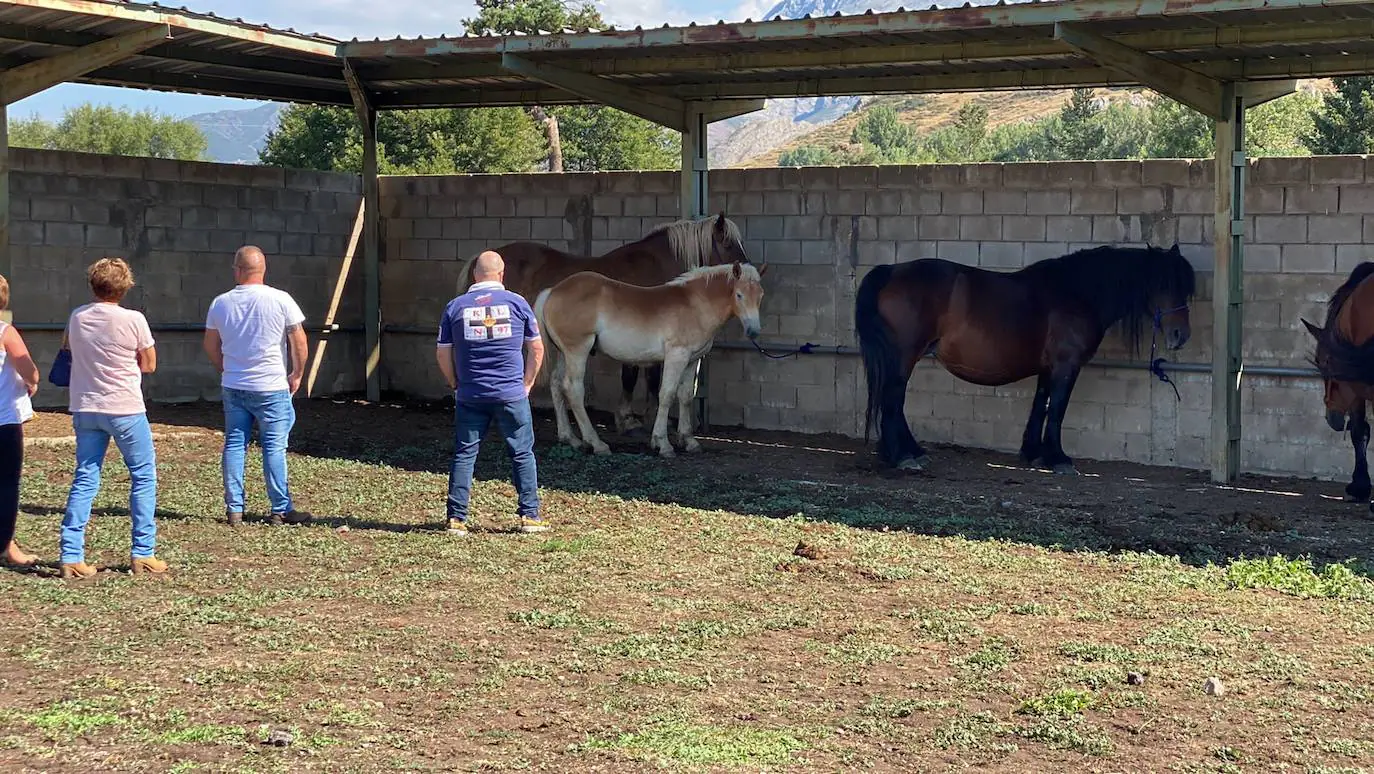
(417, 142)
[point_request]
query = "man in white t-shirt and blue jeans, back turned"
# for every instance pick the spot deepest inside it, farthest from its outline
(247, 336)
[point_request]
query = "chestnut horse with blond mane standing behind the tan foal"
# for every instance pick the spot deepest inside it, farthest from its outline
(659, 256)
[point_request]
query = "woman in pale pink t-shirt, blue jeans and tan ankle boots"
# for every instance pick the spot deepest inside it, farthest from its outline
(112, 349)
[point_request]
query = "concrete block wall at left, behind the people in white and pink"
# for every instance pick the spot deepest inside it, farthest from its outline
(178, 225)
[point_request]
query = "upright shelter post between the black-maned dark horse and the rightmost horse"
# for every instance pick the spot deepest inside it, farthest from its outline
(1228, 289)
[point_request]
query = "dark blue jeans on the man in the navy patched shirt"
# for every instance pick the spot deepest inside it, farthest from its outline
(471, 423)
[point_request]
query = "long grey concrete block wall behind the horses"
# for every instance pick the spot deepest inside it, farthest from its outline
(1310, 221)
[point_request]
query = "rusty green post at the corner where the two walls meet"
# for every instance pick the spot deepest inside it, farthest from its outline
(372, 236)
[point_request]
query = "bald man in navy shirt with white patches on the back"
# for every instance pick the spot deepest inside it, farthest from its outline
(490, 353)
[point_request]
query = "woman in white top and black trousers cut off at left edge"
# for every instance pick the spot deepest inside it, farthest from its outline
(19, 382)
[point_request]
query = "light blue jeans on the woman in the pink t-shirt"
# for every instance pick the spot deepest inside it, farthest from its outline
(134, 438)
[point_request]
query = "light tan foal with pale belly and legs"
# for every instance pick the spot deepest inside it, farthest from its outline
(673, 325)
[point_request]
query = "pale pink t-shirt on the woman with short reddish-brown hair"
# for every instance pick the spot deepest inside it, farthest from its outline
(105, 342)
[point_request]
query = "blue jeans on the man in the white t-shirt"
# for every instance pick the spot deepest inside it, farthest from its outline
(275, 417)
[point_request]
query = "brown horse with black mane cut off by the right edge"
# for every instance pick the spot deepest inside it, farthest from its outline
(1346, 360)
